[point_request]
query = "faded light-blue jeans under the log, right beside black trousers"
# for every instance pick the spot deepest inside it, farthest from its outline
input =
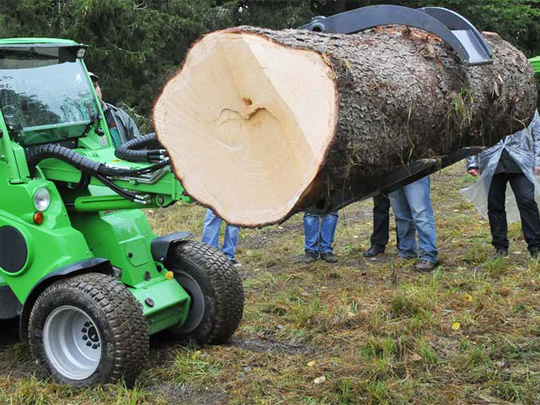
(413, 212)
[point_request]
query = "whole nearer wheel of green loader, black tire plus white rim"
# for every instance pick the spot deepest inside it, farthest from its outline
(113, 322)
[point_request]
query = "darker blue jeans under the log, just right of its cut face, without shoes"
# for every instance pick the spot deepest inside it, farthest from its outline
(319, 237)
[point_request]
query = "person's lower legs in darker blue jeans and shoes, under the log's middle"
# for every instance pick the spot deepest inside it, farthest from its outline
(319, 237)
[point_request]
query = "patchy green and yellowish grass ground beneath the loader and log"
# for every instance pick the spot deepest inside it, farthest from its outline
(357, 332)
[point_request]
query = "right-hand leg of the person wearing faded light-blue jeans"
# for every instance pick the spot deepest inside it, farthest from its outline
(418, 195)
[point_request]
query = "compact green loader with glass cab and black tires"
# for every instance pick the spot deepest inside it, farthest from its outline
(79, 264)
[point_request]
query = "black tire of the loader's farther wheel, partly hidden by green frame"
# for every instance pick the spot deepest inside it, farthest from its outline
(220, 284)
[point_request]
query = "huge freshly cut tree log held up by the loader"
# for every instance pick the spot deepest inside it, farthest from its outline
(258, 123)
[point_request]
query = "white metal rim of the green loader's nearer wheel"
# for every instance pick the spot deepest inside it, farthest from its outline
(72, 342)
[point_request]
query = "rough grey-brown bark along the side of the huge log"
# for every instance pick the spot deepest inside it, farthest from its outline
(403, 95)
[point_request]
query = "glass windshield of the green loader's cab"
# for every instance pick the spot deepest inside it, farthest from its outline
(45, 94)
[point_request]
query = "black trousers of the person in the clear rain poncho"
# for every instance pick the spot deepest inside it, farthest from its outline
(528, 210)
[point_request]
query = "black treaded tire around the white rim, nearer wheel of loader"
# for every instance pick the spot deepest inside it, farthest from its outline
(115, 312)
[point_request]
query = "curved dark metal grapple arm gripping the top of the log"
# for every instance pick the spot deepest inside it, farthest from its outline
(452, 28)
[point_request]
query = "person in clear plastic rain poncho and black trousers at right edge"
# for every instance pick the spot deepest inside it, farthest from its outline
(515, 160)
